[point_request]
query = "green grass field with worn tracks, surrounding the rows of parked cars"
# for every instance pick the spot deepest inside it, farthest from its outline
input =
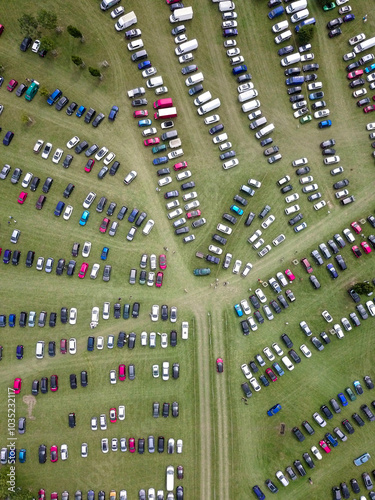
(228, 446)
